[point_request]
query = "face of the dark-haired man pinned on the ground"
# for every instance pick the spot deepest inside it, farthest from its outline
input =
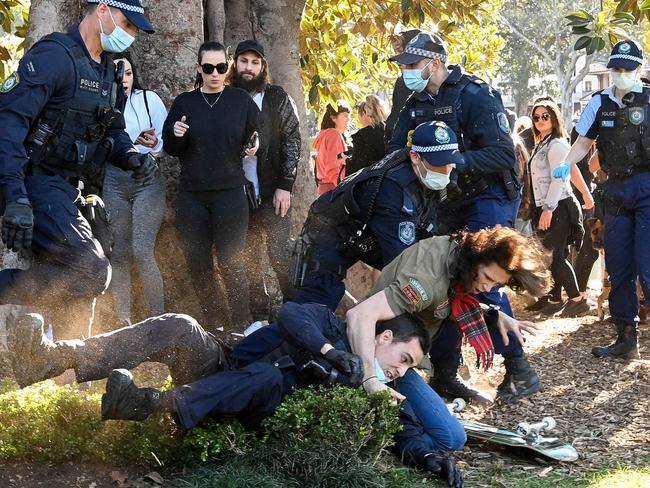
(395, 358)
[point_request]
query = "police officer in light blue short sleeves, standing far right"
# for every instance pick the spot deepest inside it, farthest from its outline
(618, 119)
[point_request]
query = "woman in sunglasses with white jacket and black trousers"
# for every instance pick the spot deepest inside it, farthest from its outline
(557, 216)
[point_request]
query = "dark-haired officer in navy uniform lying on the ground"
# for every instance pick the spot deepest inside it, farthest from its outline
(307, 345)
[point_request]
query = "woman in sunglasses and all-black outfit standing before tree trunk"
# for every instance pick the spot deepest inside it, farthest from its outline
(209, 129)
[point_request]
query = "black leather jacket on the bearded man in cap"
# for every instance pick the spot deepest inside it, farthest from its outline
(279, 153)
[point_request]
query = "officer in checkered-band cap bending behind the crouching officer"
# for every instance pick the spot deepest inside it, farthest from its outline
(486, 190)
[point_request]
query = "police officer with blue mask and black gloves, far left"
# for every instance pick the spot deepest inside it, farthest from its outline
(61, 123)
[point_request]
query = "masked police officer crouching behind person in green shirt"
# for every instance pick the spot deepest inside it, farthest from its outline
(373, 215)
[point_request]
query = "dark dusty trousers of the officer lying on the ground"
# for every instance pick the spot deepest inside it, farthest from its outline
(197, 363)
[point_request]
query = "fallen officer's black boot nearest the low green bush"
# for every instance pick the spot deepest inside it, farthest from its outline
(125, 401)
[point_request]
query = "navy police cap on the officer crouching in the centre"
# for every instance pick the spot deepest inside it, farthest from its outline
(436, 143)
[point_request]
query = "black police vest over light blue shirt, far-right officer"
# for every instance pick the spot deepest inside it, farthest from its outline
(624, 134)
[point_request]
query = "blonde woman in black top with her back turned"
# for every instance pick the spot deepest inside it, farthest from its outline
(368, 142)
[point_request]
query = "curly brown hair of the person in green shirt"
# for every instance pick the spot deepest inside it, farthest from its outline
(524, 258)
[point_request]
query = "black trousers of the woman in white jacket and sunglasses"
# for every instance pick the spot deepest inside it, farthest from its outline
(557, 239)
